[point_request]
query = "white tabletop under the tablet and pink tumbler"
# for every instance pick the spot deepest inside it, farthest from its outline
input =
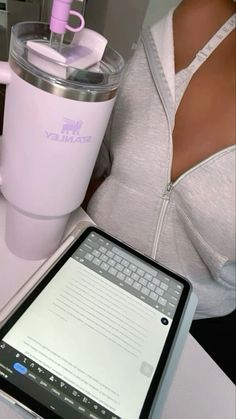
(199, 390)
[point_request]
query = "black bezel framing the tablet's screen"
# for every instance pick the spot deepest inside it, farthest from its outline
(35, 405)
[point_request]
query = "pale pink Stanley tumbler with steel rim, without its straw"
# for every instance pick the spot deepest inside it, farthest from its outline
(54, 122)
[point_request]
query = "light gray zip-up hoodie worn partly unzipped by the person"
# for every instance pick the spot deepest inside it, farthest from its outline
(188, 225)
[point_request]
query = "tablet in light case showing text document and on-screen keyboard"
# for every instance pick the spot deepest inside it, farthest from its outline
(100, 335)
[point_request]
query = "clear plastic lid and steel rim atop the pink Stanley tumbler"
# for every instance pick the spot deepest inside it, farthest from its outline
(98, 82)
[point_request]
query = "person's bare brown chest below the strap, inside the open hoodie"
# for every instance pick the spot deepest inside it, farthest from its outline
(205, 117)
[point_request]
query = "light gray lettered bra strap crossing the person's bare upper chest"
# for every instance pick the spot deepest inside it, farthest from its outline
(212, 44)
